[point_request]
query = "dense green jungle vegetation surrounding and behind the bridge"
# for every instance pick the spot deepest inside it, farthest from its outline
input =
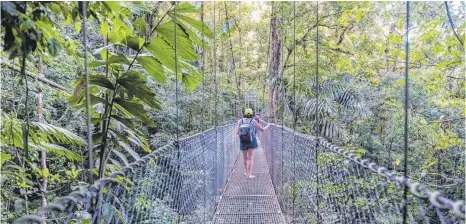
(132, 84)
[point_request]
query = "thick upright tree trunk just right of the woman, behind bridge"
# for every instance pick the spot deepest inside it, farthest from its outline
(274, 64)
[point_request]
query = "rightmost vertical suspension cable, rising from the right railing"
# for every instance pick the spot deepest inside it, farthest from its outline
(406, 104)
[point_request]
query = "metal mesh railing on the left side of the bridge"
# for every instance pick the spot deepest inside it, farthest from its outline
(174, 184)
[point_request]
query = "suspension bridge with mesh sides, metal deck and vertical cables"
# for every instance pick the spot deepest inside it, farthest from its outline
(298, 179)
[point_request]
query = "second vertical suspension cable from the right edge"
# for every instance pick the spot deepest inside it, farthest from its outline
(316, 112)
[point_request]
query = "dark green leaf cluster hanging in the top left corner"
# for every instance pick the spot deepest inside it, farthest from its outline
(31, 26)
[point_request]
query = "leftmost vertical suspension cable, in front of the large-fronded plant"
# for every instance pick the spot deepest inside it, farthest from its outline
(88, 97)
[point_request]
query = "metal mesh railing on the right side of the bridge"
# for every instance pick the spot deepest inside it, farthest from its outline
(346, 189)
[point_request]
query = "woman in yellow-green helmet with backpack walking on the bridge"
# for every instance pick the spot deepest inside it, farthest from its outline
(247, 130)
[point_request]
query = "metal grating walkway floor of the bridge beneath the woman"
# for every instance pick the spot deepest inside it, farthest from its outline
(249, 201)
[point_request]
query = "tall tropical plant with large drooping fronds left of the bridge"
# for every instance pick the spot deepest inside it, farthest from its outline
(119, 90)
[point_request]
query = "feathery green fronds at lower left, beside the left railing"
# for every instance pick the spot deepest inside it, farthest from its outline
(18, 168)
